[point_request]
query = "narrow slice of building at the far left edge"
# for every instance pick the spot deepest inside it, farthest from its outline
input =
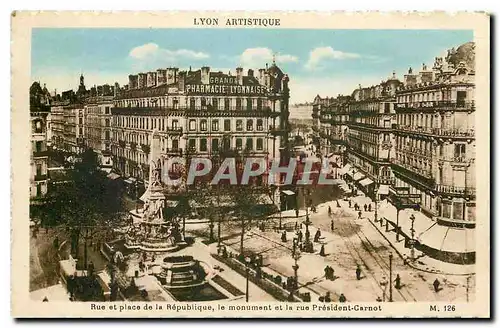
(39, 109)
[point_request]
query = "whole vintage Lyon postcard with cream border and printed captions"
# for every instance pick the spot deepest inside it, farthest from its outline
(251, 166)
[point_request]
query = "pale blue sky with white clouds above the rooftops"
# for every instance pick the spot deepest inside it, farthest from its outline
(324, 62)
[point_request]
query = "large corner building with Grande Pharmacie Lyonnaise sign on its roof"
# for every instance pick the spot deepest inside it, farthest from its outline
(200, 112)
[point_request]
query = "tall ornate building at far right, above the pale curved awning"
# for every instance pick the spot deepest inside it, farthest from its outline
(435, 148)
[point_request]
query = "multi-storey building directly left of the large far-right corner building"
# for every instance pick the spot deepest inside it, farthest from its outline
(370, 139)
